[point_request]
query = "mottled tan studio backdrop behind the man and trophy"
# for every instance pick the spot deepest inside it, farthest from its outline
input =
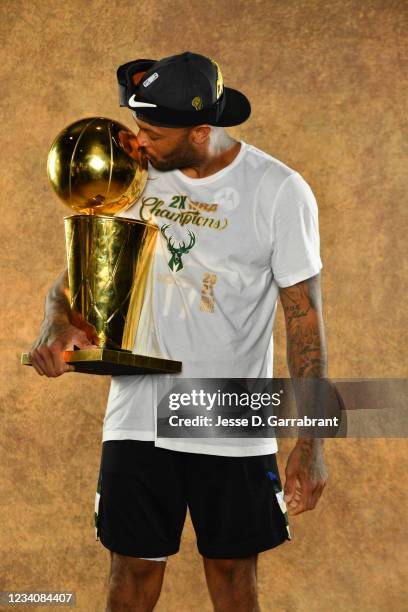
(326, 82)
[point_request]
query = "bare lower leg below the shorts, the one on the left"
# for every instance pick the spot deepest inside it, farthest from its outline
(134, 584)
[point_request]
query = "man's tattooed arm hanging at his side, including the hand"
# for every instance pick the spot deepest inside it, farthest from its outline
(306, 473)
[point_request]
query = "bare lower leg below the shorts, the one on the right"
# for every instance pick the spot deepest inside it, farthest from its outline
(232, 584)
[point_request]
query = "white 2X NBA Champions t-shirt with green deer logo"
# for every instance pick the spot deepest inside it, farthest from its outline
(247, 230)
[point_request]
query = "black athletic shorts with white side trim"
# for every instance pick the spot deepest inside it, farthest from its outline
(236, 503)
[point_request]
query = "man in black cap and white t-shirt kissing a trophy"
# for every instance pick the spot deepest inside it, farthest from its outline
(246, 226)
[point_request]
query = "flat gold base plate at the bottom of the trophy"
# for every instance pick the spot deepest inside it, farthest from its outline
(115, 363)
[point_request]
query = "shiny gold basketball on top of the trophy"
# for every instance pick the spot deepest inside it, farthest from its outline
(90, 170)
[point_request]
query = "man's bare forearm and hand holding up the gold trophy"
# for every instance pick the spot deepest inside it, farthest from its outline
(61, 329)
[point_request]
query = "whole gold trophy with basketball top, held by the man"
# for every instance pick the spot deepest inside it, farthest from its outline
(108, 257)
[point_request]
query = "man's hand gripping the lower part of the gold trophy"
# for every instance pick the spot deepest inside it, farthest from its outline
(58, 334)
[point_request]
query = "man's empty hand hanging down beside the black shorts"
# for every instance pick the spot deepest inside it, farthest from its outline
(306, 476)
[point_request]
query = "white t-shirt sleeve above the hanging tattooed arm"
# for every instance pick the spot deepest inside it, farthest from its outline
(295, 227)
